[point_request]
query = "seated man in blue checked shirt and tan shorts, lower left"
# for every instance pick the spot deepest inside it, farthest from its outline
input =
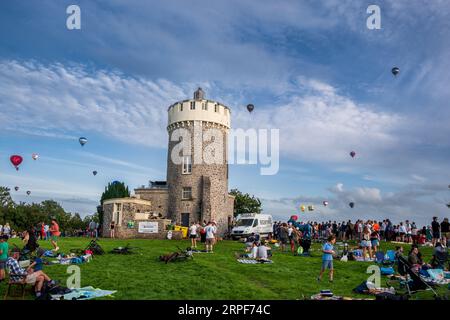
(18, 274)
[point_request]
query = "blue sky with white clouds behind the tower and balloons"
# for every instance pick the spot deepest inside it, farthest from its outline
(312, 69)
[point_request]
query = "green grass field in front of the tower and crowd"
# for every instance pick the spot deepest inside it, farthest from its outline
(208, 276)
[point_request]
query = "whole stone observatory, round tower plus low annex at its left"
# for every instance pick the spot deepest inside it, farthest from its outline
(196, 189)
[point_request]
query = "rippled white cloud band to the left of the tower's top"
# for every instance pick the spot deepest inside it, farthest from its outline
(43, 100)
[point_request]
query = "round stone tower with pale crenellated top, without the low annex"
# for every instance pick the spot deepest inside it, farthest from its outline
(198, 187)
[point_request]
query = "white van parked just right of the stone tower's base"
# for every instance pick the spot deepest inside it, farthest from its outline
(248, 223)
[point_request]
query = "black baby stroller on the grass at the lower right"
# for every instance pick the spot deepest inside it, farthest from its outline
(413, 282)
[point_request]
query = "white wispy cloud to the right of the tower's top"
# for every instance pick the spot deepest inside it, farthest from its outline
(319, 124)
